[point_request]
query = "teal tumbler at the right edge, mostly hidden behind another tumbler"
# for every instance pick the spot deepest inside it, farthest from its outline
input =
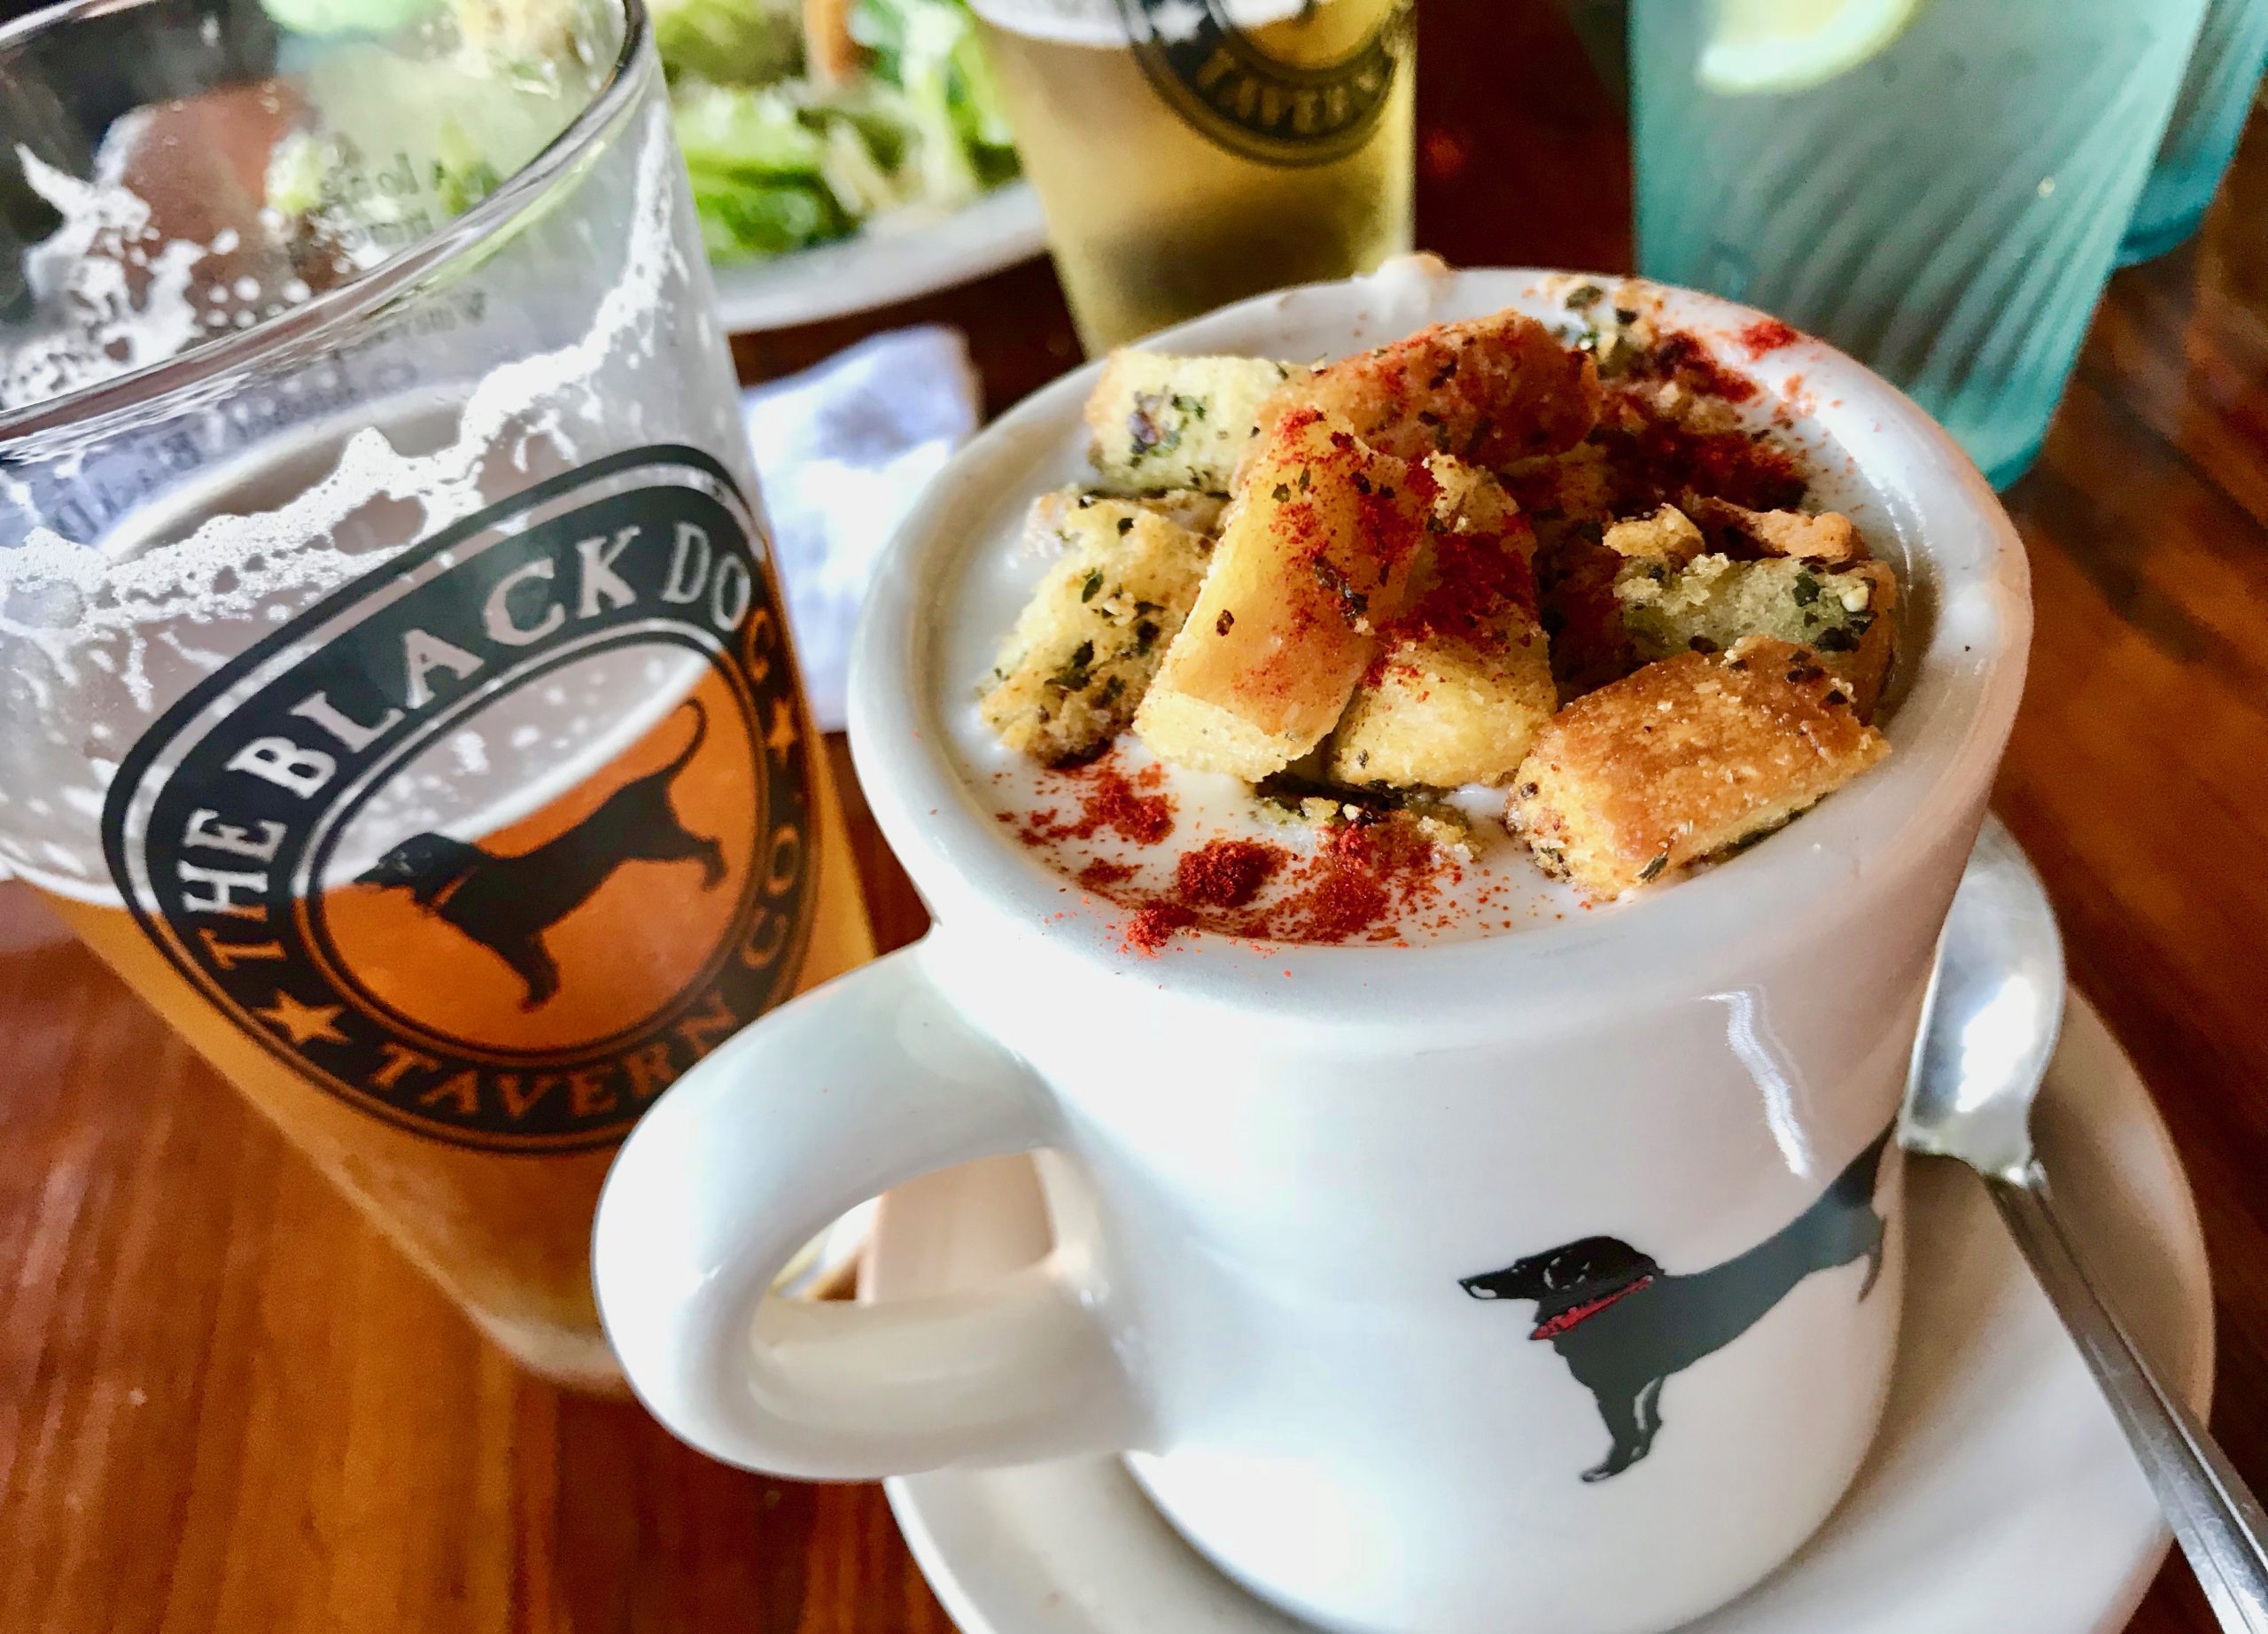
(2208, 124)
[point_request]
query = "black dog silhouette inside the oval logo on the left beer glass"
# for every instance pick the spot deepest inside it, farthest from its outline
(509, 902)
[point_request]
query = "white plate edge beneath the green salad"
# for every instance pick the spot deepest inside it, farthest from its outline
(888, 262)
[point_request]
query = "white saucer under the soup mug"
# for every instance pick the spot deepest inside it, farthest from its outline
(1999, 1497)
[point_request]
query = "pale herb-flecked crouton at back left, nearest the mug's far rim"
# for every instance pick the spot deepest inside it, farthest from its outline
(1178, 421)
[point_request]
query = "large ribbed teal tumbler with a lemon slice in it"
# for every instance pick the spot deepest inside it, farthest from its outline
(1945, 210)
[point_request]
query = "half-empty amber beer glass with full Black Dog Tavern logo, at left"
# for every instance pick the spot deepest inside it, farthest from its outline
(393, 682)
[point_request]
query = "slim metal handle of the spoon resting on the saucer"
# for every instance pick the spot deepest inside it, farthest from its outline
(2212, 1513)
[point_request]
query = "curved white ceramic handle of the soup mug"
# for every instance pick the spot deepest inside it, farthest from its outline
(822, 1104)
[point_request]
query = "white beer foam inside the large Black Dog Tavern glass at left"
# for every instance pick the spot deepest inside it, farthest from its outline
(103, 628)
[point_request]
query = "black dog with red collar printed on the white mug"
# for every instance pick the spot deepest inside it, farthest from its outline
(1623, 1324)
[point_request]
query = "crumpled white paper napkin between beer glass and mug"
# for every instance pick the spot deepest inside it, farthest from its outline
(843, 453)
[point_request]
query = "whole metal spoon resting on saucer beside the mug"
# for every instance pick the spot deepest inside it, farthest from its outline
(1995, 1011)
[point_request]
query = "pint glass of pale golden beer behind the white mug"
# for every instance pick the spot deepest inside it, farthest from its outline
(1199, 151)
